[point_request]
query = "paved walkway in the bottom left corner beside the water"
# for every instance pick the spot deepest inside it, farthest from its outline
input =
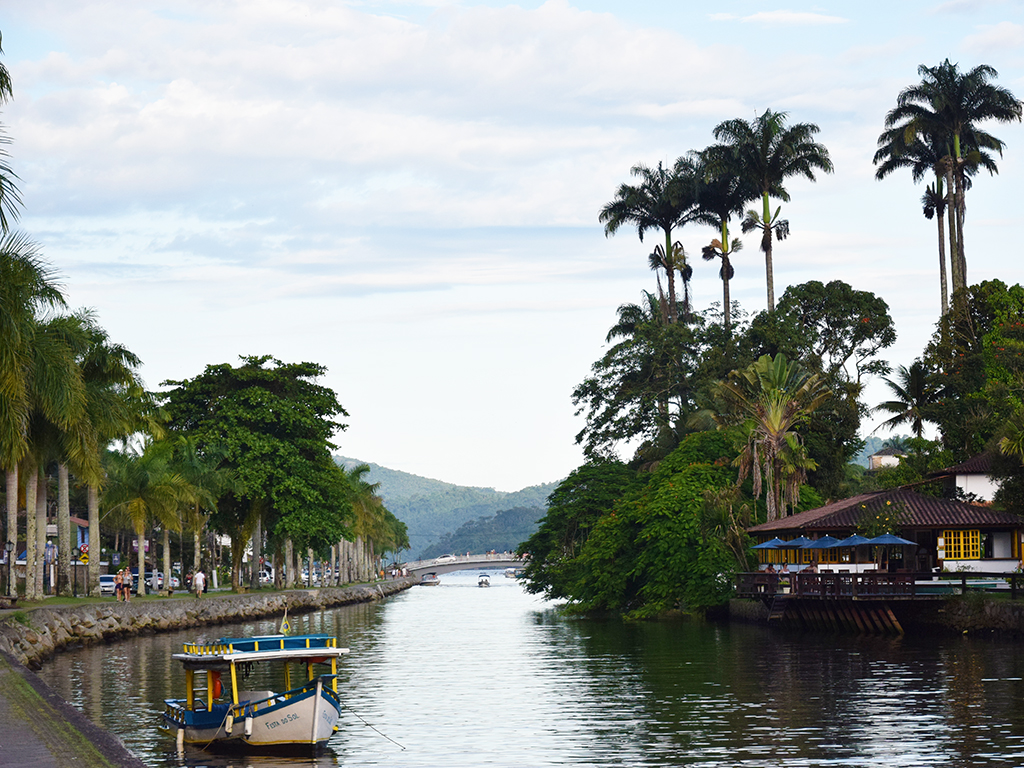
(38, 730)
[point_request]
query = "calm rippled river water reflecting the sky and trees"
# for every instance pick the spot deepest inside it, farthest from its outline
(457, 676)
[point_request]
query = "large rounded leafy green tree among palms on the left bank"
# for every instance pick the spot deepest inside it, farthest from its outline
(274, 424)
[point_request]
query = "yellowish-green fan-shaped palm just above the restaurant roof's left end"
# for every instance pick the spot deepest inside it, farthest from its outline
(770, 399)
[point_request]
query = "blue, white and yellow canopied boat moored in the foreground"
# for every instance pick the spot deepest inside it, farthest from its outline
(218, 714)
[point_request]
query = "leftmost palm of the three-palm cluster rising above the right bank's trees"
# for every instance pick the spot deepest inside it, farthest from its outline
(664, 200)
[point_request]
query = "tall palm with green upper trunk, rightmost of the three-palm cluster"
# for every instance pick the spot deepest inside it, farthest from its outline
(765, 153)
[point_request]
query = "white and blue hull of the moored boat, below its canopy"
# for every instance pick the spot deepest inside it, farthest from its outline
(286, 722)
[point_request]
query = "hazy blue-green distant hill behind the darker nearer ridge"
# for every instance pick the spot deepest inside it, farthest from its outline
(433, 508)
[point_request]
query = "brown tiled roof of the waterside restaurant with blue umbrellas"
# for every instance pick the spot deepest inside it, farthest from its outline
(924, 511)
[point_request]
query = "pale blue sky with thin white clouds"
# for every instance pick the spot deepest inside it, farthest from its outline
(408, 193)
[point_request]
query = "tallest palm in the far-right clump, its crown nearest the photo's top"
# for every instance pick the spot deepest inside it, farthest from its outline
(952, 105)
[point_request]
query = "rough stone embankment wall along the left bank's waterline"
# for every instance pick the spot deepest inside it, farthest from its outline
(44, 632)
